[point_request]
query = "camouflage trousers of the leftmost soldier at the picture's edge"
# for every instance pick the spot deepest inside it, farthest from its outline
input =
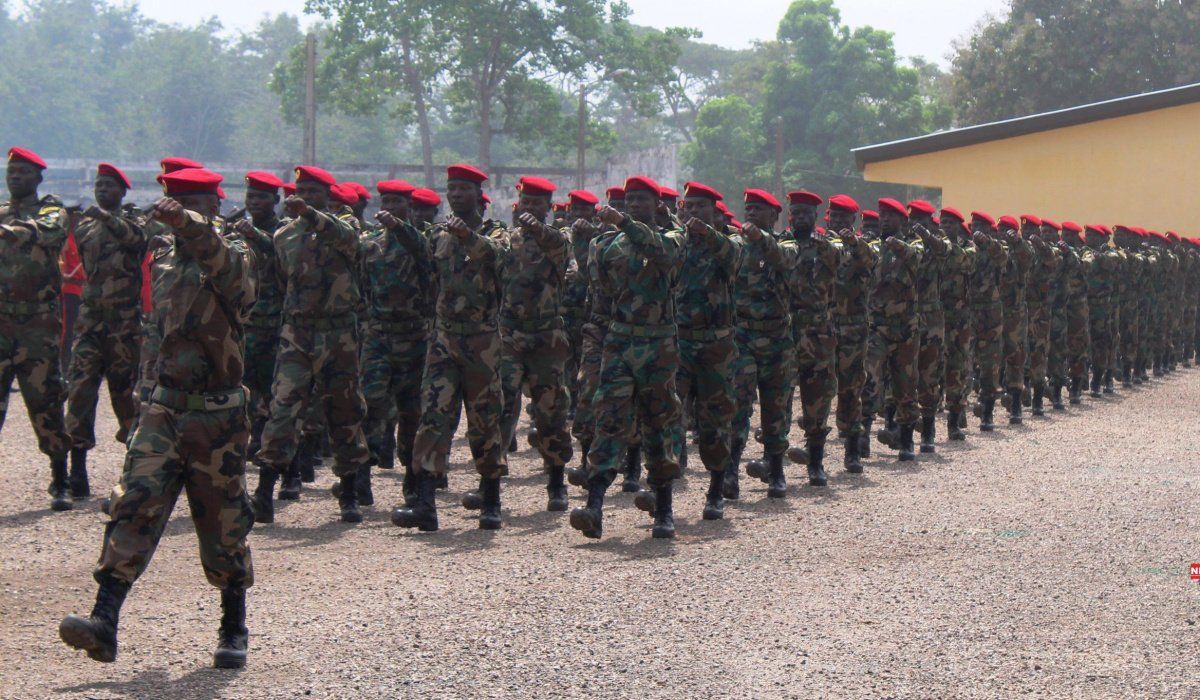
(29, 351)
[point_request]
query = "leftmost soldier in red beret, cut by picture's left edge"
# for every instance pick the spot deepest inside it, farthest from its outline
(33, 232)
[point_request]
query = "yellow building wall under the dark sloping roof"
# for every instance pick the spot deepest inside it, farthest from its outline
(1142, 170)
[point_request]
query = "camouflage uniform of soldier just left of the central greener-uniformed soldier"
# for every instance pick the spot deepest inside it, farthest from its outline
(536, 346)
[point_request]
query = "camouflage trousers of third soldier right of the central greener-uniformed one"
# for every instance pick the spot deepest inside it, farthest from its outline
(815, 375)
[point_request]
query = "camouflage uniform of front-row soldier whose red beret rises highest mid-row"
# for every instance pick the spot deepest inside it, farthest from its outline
(465, 352)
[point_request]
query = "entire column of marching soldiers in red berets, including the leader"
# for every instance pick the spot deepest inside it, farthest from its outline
(627, 326)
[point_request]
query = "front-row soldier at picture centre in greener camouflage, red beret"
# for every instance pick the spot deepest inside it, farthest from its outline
(638, 272)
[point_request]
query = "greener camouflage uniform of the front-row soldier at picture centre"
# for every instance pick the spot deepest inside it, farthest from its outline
(638, 271)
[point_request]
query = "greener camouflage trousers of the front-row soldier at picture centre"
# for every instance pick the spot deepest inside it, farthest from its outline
(638, 390)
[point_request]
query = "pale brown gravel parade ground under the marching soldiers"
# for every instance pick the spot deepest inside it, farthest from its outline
(1047, 560)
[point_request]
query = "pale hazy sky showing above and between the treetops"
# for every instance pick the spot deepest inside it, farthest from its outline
(922, 28)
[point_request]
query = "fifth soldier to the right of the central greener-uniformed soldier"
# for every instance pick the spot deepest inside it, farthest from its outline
(896, 333)
